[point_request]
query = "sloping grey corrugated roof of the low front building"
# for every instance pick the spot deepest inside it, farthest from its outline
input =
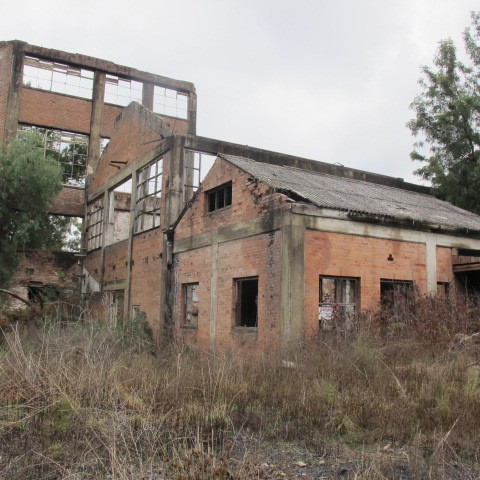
(340, 193)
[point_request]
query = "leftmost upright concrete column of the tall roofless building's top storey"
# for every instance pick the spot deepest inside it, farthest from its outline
(13, 99)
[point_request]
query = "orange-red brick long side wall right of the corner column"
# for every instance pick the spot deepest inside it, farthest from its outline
(354, 256)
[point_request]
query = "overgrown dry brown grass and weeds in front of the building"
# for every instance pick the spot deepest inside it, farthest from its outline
(83, 401)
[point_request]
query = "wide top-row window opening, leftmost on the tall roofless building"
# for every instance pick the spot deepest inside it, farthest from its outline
(57, 77)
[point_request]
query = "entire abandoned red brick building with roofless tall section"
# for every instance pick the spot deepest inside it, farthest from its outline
(217, 243)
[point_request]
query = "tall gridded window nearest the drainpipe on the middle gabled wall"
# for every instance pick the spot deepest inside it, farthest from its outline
(148, 196)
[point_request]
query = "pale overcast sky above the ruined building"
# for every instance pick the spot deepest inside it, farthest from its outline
(328, 80)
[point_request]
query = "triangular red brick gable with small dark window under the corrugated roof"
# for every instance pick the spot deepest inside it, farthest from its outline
(250, 200)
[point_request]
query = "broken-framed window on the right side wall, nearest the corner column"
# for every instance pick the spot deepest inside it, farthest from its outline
(338, 301)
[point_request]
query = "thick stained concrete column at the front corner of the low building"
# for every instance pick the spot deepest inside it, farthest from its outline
(292, 288)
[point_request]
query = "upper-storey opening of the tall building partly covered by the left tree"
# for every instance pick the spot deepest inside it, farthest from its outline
(70, 149)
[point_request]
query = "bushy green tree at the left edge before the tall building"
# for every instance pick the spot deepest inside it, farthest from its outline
(28, 183)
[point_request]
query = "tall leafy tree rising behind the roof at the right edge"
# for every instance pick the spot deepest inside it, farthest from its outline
(447, 122)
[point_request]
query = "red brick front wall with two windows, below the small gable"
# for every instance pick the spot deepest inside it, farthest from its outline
(257, 256)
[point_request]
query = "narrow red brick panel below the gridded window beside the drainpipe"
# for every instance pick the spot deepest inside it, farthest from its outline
(146, 275)
